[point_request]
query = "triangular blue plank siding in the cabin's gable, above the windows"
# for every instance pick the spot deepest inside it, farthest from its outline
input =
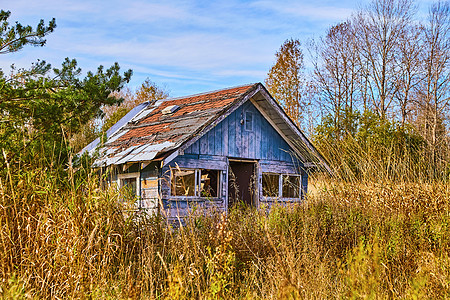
(229, 138)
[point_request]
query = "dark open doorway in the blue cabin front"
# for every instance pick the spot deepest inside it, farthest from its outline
(241, 183)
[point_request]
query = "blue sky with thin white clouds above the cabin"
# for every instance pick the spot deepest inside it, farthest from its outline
(185, 46)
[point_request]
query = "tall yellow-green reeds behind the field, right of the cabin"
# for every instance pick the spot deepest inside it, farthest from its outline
(386, 155)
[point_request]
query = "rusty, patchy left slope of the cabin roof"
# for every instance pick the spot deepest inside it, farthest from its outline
(165, 125)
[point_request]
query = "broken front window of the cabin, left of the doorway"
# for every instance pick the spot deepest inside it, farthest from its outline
(195, 182)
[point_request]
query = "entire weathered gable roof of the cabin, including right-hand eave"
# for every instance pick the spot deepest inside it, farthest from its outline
(170, 126)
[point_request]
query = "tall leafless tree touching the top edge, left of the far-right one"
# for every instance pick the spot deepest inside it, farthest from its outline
(379, 29)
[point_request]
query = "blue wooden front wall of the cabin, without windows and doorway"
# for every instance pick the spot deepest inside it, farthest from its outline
(233, 139)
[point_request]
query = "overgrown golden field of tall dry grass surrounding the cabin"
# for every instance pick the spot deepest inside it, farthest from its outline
(65, 240)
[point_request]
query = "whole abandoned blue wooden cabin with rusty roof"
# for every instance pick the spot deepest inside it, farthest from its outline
(209, 150)
